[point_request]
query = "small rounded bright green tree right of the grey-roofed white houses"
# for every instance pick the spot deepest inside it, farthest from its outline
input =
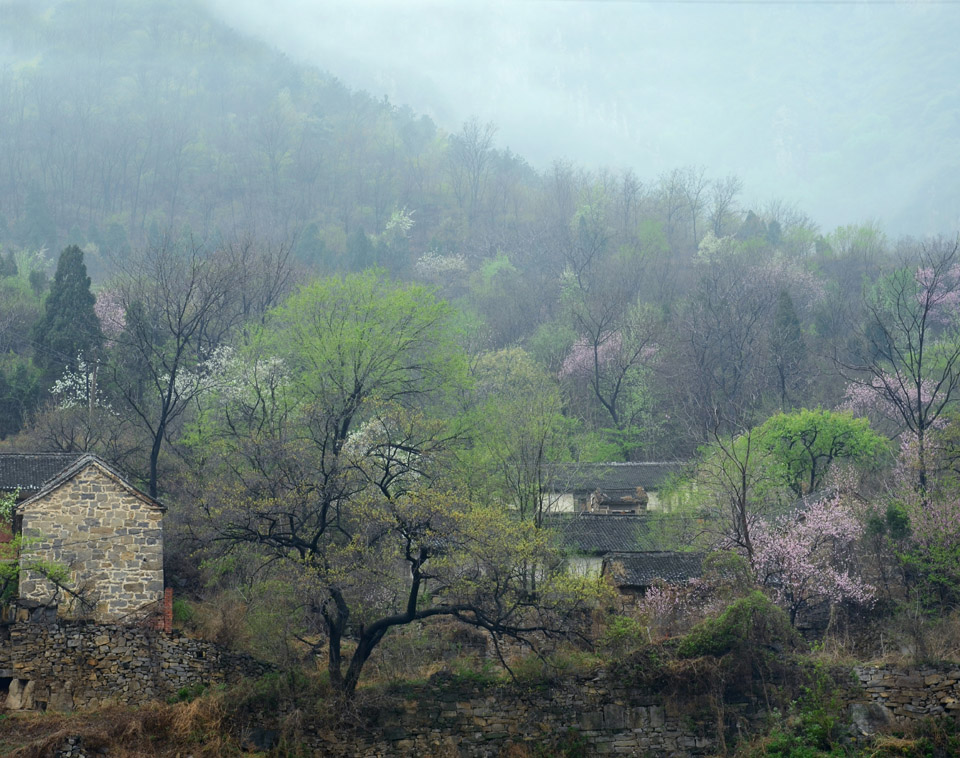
(806, 443)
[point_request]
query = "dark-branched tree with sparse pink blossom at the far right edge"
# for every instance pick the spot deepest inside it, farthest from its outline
(909, 365)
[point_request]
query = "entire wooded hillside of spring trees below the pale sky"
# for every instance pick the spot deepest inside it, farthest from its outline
(334, 336)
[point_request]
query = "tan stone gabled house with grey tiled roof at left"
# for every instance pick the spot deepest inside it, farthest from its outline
(91, 522)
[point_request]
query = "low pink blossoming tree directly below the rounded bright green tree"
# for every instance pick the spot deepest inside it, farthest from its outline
(807, 556)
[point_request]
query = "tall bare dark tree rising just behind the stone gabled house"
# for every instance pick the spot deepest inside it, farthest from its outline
(182, 304)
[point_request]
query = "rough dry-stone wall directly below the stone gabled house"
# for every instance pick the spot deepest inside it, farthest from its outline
(73, 665)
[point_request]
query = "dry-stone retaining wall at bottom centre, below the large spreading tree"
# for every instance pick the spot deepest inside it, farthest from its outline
(451, 718)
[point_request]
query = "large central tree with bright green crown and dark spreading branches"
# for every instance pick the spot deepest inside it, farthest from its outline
(330, 456)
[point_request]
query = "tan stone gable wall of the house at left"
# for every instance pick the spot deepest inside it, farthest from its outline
(110, 541)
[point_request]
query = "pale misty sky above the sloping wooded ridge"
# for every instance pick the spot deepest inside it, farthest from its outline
(852, 111)
